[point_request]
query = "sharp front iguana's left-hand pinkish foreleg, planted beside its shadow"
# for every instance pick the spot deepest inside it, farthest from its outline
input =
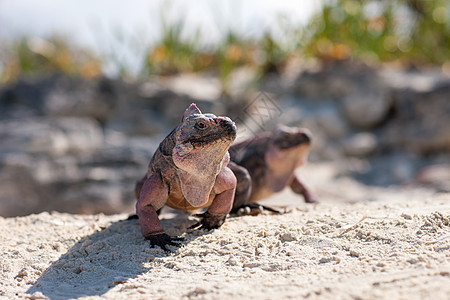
(153, 196)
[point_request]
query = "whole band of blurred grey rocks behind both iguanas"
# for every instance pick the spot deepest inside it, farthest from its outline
(75, 145)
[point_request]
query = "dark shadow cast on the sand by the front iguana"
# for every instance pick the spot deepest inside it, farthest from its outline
(105, 259)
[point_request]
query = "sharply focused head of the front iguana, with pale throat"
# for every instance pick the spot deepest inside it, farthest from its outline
(202, 142)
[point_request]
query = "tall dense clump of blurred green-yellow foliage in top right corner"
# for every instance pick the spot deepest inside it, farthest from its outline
(410, 31)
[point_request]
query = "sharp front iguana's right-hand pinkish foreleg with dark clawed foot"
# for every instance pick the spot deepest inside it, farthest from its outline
(224, 187)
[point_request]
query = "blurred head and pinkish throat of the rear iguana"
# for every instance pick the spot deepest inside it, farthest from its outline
(287, 150)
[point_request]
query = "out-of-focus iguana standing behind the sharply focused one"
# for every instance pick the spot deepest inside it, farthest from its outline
(266, 164)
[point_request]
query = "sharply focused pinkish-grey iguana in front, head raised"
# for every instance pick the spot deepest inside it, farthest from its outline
(189, 170)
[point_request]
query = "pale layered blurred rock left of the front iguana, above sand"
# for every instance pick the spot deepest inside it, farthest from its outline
(84, 175)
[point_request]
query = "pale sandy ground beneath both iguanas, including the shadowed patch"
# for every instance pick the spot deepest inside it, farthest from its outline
(358, 243)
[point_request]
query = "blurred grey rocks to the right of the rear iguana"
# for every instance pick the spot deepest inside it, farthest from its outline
(395, 121)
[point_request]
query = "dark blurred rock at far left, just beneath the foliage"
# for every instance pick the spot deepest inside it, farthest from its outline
(59, 96)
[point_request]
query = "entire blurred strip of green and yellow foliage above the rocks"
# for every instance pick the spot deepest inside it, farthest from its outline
(408, 32)
